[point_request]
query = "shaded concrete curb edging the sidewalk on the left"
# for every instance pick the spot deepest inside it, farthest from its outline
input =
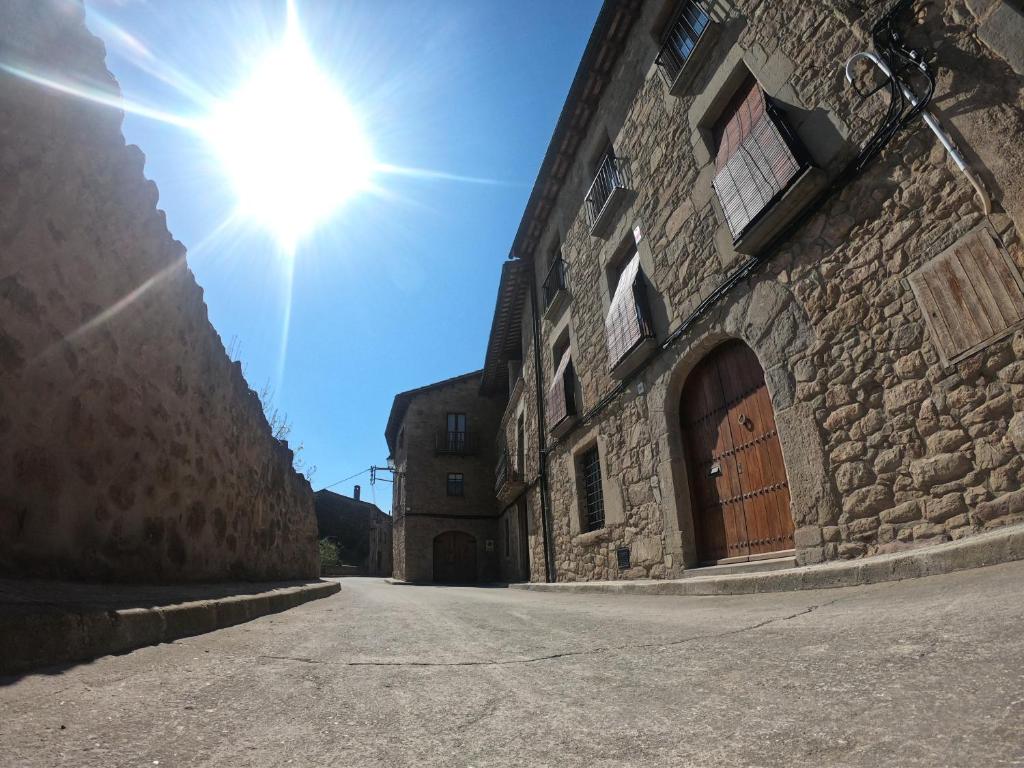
(40, 635)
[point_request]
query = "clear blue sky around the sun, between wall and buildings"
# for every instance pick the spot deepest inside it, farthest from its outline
(398, 289)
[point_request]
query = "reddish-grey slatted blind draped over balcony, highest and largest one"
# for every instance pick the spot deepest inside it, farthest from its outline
(755, 160)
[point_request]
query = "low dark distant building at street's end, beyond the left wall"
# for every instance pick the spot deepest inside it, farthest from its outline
(361, 531)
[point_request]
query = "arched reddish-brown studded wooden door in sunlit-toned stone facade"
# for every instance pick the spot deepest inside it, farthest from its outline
(739, 491)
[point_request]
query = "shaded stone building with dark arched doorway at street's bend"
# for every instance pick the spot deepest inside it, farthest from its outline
(448, 527)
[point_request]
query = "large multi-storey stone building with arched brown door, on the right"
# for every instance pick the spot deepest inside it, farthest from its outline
(750, 314)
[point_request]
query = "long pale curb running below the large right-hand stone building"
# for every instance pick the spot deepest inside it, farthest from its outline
(991, 548)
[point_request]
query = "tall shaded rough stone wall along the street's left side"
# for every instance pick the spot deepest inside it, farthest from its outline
(131, 446)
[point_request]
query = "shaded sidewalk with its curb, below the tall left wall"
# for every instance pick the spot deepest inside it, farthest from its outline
(49, 623)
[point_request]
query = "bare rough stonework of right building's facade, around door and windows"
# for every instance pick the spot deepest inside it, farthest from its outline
(885, 449)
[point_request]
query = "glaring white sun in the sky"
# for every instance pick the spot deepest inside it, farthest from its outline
(289, 143)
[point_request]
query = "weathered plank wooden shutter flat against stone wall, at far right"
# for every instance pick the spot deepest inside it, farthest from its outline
(971, 295)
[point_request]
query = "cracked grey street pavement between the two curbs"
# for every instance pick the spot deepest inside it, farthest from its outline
(918, 673)
